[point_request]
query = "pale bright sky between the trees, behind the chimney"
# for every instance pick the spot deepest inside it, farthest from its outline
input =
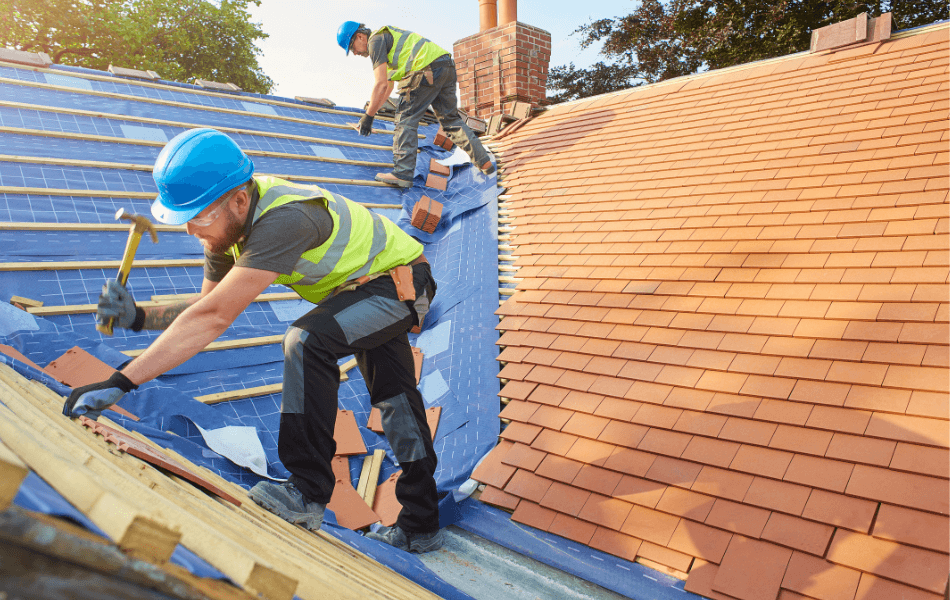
(302, 56)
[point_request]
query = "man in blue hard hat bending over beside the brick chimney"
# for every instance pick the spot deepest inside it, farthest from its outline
(426, 76)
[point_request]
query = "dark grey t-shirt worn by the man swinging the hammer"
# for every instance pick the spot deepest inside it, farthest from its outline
(277, 240)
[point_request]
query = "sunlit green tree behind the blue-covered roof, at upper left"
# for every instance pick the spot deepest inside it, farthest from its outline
(179, 39)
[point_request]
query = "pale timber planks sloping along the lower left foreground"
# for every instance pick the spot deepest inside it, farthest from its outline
(262, 553)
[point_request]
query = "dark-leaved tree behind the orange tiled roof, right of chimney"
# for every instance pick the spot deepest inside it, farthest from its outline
(661, 40)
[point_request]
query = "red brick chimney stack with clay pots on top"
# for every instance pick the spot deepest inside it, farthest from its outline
(502, 63)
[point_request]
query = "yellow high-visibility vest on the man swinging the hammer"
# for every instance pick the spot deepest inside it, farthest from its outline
(362, 242)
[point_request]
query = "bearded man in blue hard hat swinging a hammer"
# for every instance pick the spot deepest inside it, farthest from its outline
(369, 281)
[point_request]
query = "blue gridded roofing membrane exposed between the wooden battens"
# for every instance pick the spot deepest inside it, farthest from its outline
(459, 371)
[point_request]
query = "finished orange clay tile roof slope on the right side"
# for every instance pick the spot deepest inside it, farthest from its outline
(728, 351)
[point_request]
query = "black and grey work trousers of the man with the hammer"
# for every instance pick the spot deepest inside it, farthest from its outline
(371, 323)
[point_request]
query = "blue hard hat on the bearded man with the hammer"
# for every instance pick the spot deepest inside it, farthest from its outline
(193, 170)
